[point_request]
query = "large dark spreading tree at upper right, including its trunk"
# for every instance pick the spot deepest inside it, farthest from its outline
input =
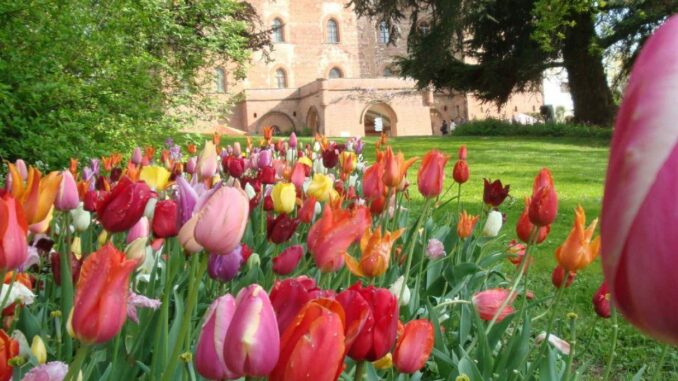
(495, 47)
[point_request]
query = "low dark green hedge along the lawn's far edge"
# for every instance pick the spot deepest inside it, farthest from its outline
(494, 127)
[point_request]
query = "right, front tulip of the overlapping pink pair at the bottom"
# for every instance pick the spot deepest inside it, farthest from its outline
(252, 343)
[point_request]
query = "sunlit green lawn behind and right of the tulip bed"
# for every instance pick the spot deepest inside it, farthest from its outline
(578, 167)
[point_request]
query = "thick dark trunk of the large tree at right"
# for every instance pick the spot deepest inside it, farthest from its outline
(590, 91)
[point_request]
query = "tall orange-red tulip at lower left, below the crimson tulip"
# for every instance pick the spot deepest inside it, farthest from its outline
(100, 307)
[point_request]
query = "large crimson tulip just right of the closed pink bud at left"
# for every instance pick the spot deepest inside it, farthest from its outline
(121, 209)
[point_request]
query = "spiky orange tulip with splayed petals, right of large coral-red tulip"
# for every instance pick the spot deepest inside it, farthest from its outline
(376, 253)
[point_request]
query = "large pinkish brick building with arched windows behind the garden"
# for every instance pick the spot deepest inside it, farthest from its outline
(333, 73)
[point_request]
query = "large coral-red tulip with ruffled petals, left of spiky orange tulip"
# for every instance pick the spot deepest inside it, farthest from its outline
(333, 233)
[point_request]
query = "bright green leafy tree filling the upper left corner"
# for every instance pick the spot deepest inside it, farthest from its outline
(80, 75)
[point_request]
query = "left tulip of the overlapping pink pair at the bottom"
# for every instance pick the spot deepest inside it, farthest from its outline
(209, 353)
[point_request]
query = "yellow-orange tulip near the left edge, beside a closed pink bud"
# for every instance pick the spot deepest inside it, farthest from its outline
(39, 194)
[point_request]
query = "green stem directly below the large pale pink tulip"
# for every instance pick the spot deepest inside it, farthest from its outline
(198, 266)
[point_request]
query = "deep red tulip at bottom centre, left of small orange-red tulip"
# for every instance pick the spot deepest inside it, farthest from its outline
(374, 311)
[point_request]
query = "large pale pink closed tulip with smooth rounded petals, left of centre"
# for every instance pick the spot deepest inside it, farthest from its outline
(222, 220)
